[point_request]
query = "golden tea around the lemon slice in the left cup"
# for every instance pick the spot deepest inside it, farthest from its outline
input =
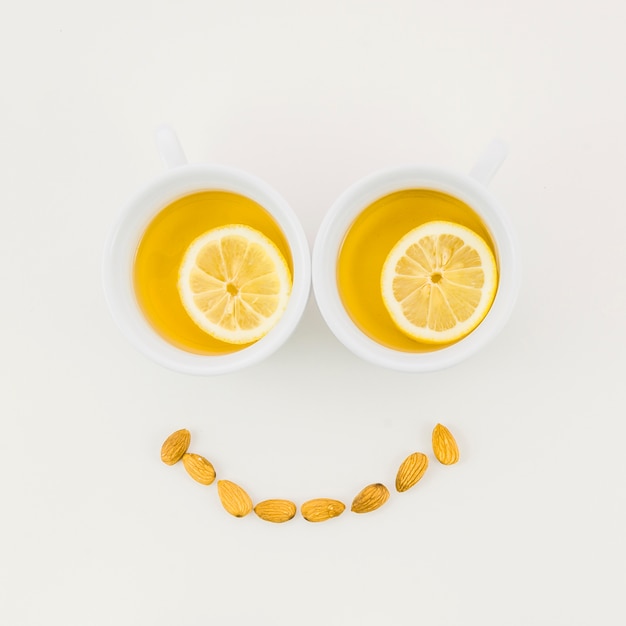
(161, 250)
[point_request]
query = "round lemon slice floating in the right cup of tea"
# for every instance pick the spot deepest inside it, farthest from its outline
(438, 282)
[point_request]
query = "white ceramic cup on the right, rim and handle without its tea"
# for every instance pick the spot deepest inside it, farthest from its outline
(470, 189)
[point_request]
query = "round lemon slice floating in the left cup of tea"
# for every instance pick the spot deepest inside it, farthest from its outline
(234, 283)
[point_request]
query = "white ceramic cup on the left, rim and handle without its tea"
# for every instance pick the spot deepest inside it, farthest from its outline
(180, 180)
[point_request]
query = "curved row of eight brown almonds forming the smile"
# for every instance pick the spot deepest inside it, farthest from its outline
(238, 503)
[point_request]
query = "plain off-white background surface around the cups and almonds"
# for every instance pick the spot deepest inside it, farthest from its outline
(527, 529)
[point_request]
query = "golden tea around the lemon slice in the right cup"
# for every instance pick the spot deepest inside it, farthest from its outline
(369, 240)
